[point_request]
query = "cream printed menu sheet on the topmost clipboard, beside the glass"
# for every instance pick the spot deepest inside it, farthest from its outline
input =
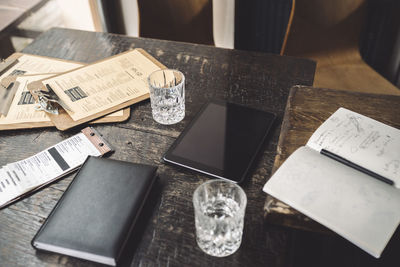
(103, 85)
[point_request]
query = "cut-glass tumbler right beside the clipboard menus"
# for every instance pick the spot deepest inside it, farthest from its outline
(167, 96)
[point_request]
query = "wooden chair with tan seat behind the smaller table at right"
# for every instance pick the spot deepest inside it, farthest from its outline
(328, 31)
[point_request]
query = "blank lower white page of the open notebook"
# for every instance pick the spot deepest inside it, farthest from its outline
(358, 207)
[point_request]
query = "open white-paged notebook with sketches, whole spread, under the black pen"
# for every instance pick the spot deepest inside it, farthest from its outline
(361, 208)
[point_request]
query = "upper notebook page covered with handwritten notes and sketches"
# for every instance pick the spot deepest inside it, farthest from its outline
(362, 140)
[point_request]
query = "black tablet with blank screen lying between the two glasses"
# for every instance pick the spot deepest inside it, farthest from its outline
(222, 140)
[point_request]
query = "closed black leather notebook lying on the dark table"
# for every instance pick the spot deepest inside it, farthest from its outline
(97, 212)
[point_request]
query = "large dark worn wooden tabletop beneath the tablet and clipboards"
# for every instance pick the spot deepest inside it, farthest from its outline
(165, 234)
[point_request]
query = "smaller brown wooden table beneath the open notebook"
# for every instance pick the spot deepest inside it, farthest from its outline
(306, 110)
